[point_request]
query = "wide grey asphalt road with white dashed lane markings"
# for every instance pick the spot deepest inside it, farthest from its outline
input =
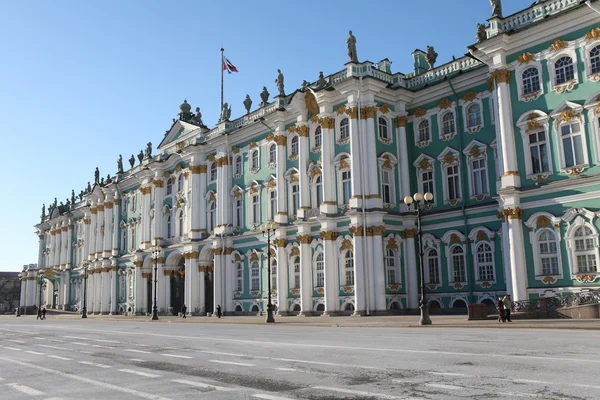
(95, 359)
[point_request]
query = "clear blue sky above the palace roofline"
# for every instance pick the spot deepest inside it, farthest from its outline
(84, 81)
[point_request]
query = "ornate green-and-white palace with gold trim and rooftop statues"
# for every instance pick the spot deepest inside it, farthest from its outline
(506, 138)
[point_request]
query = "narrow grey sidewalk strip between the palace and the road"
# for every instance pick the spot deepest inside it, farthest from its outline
(396, 321)
